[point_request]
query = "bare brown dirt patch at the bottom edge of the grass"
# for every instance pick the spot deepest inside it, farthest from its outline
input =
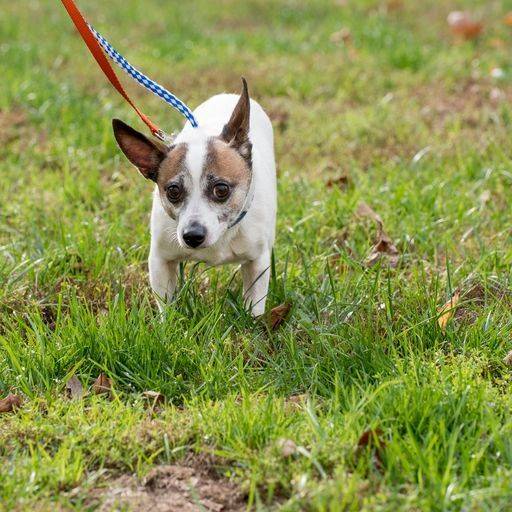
(171, 488)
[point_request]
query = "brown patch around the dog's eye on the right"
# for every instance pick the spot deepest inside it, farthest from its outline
(225, 170)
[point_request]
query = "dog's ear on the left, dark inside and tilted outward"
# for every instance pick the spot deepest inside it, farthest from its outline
(145, 154)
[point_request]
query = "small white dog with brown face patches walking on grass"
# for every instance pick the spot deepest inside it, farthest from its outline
(215, 194)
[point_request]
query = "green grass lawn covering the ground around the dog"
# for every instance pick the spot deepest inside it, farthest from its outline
(421, 129)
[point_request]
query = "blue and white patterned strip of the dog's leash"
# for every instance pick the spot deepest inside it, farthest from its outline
(143, 80)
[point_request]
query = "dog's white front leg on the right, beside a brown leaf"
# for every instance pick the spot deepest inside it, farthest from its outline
(255, 276)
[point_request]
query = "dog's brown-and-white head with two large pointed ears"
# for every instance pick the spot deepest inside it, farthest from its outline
(203, 183)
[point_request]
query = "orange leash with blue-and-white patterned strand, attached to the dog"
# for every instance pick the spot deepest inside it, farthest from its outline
(99, 46)
